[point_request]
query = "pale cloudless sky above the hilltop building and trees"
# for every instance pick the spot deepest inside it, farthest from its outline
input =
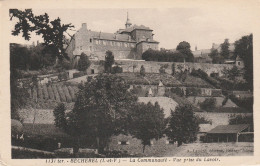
(199, 26)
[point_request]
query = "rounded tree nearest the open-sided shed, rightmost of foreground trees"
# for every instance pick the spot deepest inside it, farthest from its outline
(183, 125)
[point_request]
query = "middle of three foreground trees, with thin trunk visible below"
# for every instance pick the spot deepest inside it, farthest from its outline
(147, 123)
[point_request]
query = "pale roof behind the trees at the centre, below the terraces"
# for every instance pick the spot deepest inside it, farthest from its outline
(166, 103)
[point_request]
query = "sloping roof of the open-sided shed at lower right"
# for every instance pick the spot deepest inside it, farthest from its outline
(228, 129)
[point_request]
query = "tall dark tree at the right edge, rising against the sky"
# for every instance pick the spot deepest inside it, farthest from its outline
(244, 49)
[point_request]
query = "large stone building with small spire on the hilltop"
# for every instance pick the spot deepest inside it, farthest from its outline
(128, 43)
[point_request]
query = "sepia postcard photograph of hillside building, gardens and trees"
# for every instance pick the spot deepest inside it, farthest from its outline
(131, 83)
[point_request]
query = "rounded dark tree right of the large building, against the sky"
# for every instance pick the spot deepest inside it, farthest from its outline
(184, 49)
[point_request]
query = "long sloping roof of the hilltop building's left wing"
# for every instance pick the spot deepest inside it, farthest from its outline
(111, 36)
